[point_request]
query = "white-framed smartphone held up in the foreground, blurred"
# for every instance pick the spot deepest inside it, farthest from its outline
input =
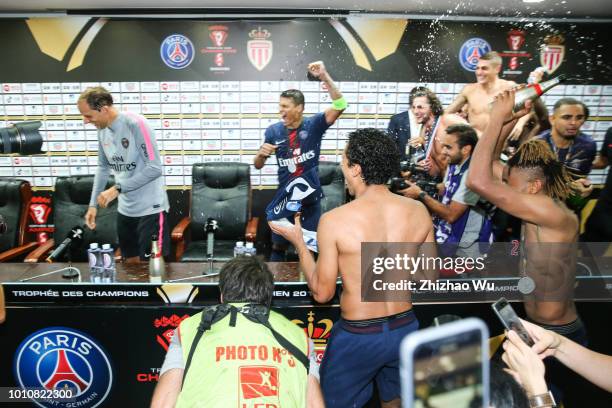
(446, 366)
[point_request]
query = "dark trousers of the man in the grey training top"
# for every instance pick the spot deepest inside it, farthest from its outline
(135, 234)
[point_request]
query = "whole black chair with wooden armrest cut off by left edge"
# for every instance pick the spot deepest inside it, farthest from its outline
(15, 241)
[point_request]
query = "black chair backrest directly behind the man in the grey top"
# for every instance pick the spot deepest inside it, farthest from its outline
(70, 203)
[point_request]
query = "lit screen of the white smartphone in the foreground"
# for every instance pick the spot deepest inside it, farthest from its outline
(448, 372)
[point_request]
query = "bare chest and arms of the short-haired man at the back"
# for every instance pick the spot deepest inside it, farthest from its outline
(479, 98)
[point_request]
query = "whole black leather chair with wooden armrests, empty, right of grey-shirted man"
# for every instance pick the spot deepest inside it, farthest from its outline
(221, 191)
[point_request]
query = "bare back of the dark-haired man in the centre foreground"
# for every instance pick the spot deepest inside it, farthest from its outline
(376, 216)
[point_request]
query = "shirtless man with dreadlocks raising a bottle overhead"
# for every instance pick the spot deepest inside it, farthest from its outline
(536, 186)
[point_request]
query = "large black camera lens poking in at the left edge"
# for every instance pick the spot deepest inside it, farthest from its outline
(22, 138)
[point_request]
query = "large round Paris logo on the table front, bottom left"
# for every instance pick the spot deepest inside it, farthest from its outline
(57, 358)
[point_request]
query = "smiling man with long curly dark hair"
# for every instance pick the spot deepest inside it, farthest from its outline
(428, 112)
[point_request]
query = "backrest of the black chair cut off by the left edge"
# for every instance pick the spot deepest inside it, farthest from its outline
(15, 196)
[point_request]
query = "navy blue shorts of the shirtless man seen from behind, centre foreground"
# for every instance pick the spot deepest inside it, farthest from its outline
(361, 352)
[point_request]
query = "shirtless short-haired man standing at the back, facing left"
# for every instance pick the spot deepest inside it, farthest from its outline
(478, 96)
